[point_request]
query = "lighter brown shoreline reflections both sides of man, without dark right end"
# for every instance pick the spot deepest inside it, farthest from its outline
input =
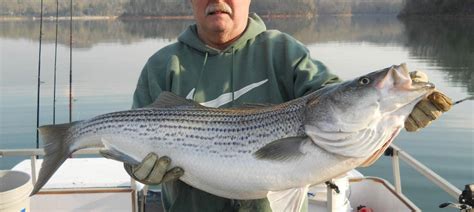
(377, 29)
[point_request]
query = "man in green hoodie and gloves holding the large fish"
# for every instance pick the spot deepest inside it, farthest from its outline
(226, 59)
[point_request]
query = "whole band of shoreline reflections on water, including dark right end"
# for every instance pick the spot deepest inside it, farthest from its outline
(447, 43)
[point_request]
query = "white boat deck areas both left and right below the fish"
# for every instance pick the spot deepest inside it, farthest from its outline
(99, 184)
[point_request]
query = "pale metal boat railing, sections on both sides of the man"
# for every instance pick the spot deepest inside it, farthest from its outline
(395, 152)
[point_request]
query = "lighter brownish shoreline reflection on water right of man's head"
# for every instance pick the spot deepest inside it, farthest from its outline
(374, 29)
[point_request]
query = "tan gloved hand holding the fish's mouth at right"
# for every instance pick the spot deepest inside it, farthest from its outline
(427, 109)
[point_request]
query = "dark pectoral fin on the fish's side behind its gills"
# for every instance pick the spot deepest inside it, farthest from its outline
(282, 149)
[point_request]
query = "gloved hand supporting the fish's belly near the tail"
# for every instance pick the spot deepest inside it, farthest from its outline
(152, 170)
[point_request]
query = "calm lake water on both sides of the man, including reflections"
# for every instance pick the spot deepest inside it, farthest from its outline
(108, 56)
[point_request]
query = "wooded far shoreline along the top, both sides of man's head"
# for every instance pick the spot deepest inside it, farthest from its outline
(263, 7)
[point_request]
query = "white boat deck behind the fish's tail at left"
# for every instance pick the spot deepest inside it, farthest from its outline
(85, 184)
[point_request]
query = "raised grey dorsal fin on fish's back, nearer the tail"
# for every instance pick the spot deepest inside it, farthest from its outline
(168, 99)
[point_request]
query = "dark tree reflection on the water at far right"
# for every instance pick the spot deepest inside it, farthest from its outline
(450, 42)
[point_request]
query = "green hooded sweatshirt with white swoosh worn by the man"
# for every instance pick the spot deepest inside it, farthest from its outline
(262, 66)
